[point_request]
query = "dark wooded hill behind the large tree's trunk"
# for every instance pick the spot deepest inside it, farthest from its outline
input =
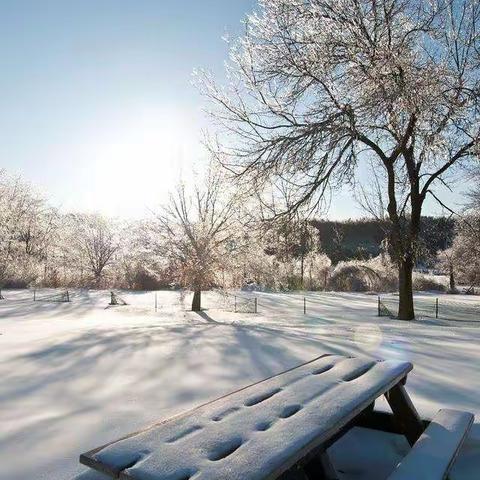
(362, 238)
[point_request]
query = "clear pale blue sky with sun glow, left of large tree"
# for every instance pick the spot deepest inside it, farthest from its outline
(96, 102)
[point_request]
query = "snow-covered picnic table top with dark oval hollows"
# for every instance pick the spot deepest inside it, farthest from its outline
(307, 407)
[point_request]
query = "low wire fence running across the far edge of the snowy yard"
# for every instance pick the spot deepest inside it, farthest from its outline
(443, 310)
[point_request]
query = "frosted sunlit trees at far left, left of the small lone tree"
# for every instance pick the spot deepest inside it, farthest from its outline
(40, 245)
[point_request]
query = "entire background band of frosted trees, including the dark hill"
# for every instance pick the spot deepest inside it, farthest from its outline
(208, 240)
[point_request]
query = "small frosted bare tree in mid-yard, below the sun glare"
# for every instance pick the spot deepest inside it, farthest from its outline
(196, 233)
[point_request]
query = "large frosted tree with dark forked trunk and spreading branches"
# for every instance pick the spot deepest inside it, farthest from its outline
(319, 87)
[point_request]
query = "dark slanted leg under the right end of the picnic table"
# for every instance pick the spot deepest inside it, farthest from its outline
(405, 413)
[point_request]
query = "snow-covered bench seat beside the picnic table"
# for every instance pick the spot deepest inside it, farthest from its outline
(437, 448)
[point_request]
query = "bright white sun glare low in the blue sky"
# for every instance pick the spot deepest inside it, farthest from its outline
(137, 162)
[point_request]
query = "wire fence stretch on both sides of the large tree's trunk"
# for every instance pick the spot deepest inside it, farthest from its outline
(432, 307)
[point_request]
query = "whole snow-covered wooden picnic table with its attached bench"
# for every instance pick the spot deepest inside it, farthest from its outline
(284, 424)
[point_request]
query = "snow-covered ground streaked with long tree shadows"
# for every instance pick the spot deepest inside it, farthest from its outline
(77, 375)
